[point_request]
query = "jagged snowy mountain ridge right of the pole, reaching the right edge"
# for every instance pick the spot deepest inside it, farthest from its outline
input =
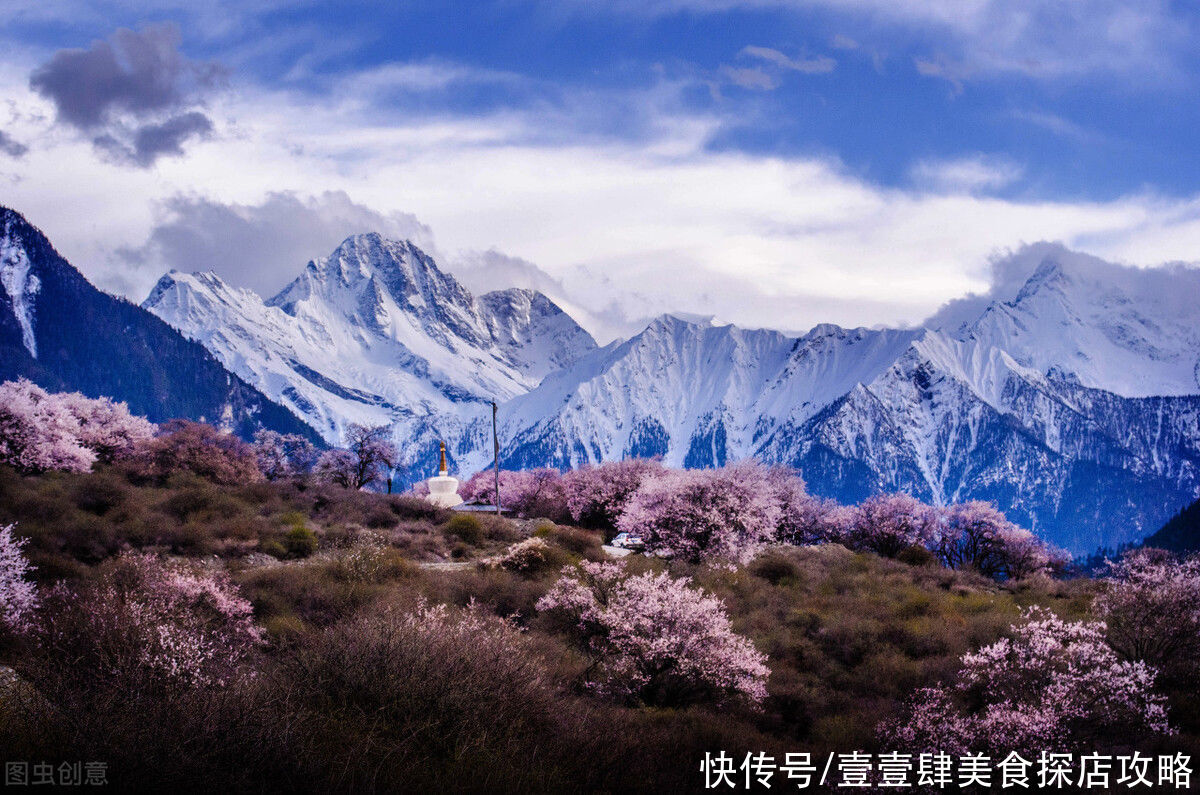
(1073, 405)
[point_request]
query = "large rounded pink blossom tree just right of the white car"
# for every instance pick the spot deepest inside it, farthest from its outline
(705, 515)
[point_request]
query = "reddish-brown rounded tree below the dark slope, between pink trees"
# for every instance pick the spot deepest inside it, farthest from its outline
(202, 450)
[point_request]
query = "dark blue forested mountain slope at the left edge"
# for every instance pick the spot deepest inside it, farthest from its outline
(58, 331)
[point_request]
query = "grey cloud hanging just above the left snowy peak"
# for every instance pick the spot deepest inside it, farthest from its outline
(262, 247)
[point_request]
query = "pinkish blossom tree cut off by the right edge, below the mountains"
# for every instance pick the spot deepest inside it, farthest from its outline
(1153, 609)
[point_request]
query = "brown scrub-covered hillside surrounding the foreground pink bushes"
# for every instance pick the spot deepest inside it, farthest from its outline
(343, 701)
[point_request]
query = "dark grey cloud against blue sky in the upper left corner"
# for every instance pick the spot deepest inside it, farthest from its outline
(135, 93)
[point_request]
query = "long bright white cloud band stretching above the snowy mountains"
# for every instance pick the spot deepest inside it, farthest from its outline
(629, 228)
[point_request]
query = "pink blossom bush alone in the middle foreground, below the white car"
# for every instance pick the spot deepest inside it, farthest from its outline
(655, 638)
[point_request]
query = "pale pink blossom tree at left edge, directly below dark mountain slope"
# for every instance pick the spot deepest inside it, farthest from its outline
(39, 433)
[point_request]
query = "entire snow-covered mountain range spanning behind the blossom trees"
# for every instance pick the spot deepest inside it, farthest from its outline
(1072, 402)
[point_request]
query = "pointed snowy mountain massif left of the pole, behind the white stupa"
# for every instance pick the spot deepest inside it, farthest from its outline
(376, 333)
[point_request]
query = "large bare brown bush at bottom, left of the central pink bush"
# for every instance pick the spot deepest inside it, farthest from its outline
(439, 686)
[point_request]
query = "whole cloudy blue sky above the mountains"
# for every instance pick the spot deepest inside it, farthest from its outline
(767, 163)
